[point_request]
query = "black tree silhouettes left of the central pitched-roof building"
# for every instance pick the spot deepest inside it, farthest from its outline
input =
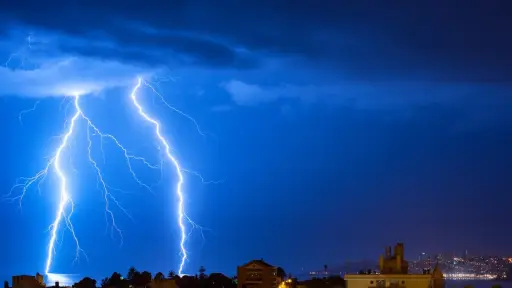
(136, 279)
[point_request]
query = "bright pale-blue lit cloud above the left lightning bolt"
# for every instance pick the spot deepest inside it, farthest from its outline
(40, 69)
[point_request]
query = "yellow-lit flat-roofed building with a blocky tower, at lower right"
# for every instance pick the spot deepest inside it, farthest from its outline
(394, 273)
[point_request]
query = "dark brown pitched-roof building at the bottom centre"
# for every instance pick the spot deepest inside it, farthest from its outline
(258, 274)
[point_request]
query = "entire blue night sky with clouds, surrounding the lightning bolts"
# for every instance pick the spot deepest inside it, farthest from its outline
(338, 127)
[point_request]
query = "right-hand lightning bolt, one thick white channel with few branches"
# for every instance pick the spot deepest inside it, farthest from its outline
(181, 206)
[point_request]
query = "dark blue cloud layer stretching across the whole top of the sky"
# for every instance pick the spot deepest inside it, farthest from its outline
(431, 40)
